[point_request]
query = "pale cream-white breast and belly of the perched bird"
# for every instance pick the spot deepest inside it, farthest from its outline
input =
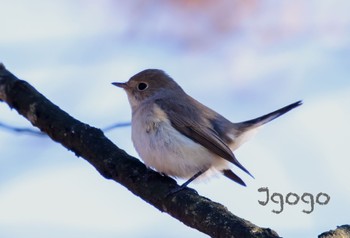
(168, 151)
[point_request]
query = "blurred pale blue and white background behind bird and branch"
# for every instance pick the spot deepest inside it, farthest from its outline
(241, 58)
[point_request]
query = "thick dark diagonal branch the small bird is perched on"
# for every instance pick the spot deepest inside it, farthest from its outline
(113, 163)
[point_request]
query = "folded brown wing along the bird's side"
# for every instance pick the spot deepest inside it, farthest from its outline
(184, 120)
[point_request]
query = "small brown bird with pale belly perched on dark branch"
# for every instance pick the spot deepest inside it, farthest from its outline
(180, 137)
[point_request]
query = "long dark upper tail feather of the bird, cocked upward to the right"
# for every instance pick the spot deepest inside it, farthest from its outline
(268, 117)
